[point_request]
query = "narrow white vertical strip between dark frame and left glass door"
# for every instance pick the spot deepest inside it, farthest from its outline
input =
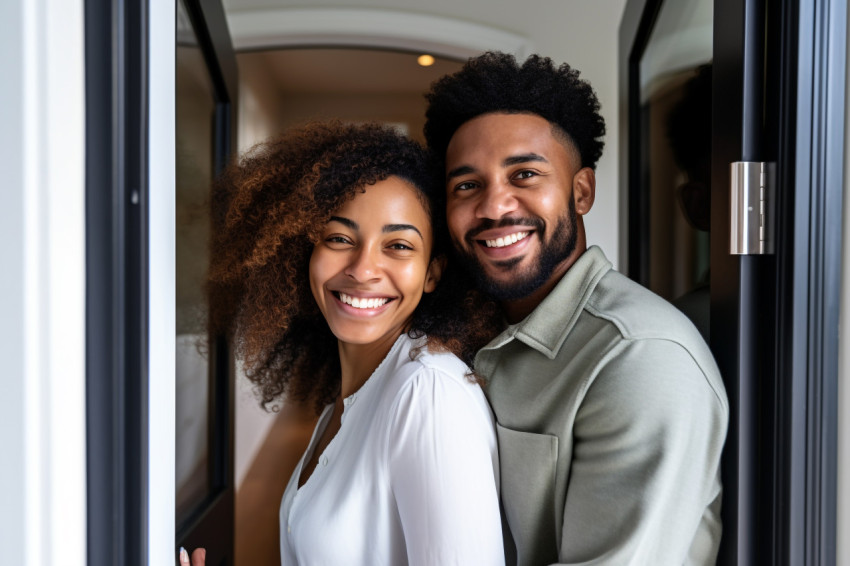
(161, 281)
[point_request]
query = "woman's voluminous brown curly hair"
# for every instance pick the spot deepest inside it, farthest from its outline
(269, 210)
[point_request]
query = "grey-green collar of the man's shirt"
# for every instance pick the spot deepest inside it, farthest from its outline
(548, 325)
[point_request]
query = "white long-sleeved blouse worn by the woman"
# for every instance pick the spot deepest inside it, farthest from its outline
(410, 478)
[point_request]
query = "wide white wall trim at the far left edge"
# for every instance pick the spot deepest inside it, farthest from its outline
(42, 286)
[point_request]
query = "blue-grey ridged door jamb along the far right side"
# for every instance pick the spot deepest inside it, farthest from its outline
(808, 286)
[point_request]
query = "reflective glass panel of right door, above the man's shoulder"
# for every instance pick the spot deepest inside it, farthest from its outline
(675, 90)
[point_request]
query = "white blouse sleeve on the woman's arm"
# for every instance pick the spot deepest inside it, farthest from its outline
(442, 467)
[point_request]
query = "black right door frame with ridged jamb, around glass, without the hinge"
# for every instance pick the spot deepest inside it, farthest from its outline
(774, 319)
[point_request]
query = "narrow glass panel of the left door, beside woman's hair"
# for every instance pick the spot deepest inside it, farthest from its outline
(195, 118)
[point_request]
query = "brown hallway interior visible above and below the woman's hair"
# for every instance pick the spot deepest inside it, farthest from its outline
(280, 89)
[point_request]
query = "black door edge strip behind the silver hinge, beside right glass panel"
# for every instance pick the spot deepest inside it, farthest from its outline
(740, 311)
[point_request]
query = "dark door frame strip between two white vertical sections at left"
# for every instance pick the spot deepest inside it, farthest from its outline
(117, 199)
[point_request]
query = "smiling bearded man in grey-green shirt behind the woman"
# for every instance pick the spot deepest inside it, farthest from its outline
(611, 411)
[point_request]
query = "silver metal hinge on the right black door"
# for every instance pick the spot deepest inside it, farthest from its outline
(753, 203)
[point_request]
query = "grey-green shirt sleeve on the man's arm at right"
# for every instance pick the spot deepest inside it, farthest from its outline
(644, 483)
